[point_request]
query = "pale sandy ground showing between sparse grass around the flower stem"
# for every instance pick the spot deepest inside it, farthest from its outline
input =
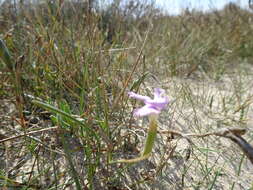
(196, 107)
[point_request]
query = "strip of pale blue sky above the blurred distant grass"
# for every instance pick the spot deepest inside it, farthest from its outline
(175, 6)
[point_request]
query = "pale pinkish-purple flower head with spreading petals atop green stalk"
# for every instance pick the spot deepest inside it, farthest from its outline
(152, 106)
